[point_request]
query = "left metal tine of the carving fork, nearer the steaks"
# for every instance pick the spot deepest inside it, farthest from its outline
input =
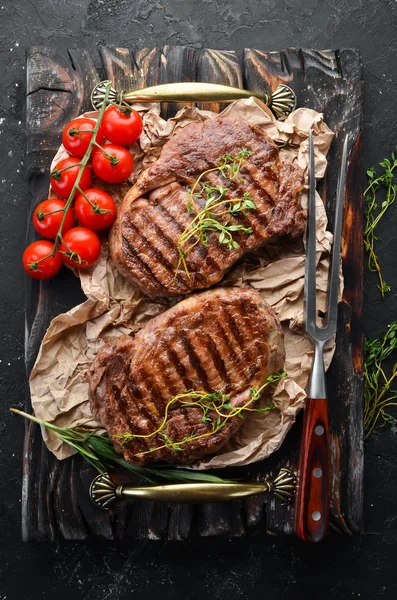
(310, 268)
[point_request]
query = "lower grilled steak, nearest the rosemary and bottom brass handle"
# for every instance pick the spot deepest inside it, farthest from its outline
(221, 340)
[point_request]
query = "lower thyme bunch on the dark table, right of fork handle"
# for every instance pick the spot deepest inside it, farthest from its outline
(378, 392)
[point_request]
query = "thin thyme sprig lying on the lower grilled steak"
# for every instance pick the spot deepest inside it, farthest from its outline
(217, 411)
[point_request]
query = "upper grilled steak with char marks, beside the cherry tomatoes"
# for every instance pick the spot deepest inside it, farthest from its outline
(154, 213)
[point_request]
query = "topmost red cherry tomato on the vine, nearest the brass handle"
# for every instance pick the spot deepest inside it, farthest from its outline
(121, 126)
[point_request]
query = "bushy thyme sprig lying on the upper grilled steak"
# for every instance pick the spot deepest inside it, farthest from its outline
(216, 205)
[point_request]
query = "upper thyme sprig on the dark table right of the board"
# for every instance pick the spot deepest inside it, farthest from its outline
(374, 212)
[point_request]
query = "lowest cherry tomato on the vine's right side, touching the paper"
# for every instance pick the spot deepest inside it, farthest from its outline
(81, 247)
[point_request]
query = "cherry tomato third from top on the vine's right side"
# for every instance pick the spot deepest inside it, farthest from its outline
(101, 214)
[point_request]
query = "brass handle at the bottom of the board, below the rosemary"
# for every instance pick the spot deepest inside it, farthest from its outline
(104, 491)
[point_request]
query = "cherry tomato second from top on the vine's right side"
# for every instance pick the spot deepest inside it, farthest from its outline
(113, 167)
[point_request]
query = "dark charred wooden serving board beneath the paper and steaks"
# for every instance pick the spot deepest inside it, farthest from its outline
(55, 499)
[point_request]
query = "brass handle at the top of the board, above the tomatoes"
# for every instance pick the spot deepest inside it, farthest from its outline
(281, 102)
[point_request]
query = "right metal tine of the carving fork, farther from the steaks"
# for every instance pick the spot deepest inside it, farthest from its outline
(332, 312)
